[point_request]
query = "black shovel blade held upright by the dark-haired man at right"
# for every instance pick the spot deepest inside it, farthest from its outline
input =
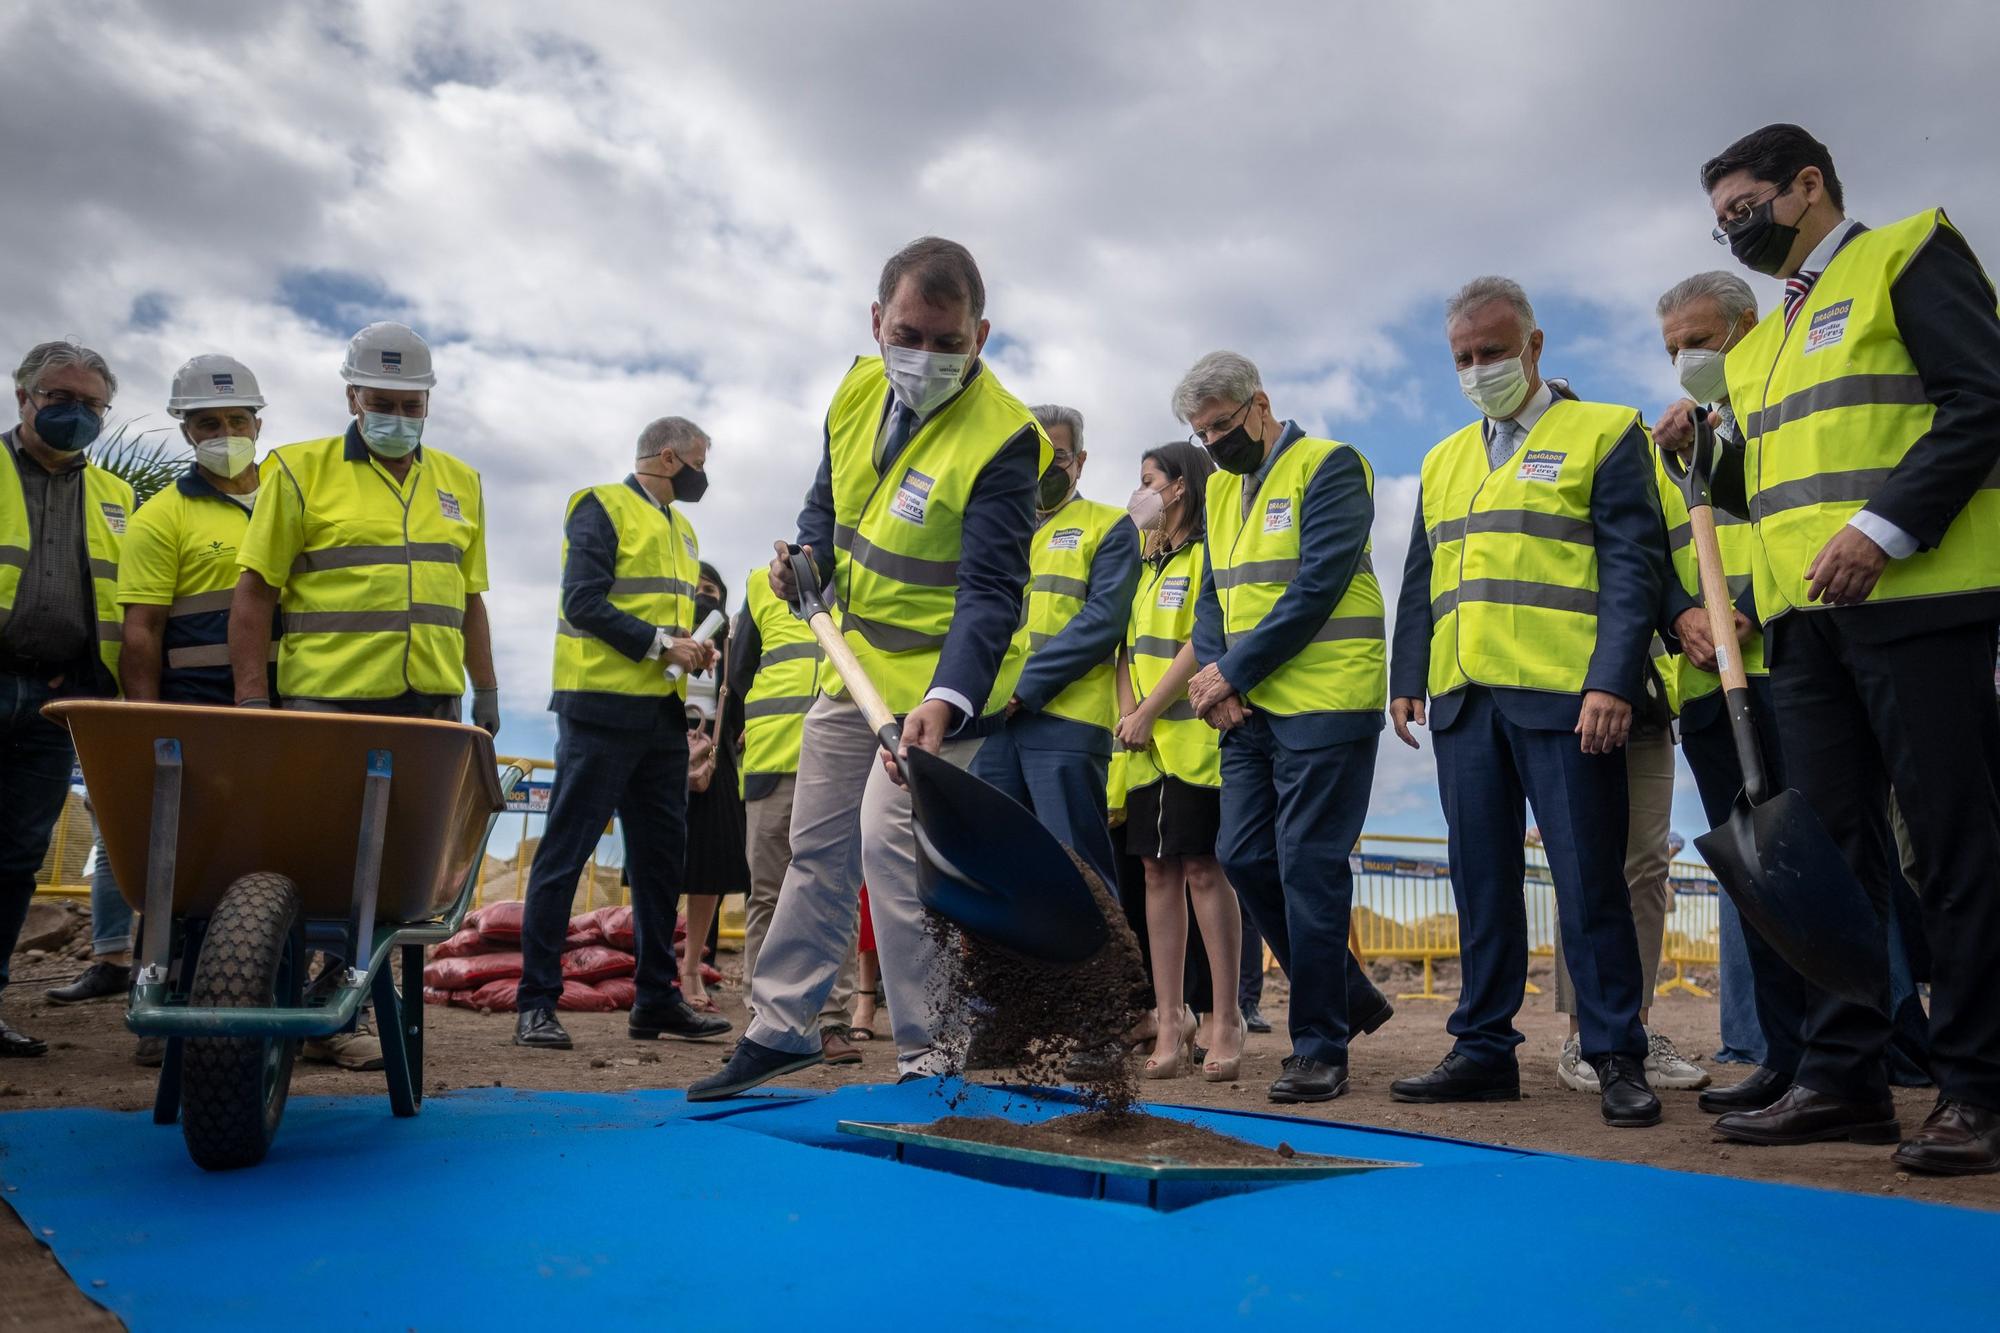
(1795, 890)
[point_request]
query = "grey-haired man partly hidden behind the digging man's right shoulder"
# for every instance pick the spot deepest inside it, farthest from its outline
(1053, 746)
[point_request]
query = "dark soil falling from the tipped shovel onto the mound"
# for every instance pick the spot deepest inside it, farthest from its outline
(1051, 1024)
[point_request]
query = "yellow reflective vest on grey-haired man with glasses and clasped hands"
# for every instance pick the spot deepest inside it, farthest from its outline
(1255, 559)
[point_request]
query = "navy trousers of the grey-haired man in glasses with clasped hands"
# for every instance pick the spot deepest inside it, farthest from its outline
(1289, 824)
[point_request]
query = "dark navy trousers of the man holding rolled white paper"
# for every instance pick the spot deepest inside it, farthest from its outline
(641, 776)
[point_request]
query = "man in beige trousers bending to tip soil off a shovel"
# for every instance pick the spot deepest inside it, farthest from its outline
(921, 513)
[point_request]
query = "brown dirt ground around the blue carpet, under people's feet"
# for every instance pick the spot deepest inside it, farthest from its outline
(91, 1064)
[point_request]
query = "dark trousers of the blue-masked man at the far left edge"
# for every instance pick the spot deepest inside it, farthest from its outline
(35, 782)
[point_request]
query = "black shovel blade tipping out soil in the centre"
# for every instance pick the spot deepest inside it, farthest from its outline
(989, 866)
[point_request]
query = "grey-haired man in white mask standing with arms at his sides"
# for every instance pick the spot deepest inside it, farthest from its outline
(1529, 603)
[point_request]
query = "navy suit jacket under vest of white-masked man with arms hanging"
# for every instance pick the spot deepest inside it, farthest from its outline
(1631, 543)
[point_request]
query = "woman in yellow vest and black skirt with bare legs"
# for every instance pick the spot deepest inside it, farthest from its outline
(1173, 772)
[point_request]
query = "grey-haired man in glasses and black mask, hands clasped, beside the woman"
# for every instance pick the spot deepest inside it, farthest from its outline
(1293, 674)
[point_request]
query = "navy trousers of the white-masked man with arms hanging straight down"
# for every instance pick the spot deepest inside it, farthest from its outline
(1487, 768)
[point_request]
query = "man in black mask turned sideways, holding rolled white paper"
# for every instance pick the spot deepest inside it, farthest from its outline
(623, 657)
